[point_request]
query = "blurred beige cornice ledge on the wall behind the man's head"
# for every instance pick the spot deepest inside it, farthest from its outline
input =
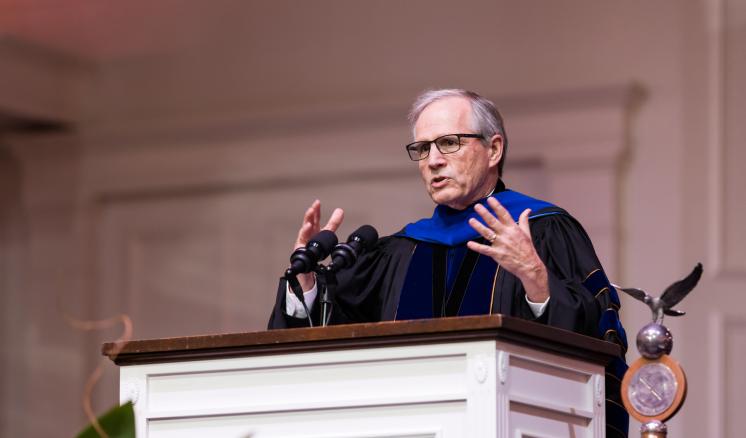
(224, 124)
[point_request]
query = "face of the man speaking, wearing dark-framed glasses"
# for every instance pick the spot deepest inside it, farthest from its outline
(460, 178)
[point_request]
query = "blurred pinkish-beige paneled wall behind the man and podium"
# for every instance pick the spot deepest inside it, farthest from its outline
(156, 158)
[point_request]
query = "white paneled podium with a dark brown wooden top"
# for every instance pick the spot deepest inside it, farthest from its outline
(471, 377)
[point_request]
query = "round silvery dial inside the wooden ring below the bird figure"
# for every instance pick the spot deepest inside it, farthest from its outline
(652, 389)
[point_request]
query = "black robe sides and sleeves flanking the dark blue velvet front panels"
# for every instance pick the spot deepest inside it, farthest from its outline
(369, 292)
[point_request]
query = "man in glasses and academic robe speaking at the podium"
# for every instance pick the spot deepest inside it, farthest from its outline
(485, 250)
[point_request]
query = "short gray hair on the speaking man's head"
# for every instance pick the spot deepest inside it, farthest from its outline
(486, 119)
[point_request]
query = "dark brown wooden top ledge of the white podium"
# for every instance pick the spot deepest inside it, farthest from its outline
(381, 334)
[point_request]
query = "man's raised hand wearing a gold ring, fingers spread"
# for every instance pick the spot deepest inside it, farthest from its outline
(510, 245)
